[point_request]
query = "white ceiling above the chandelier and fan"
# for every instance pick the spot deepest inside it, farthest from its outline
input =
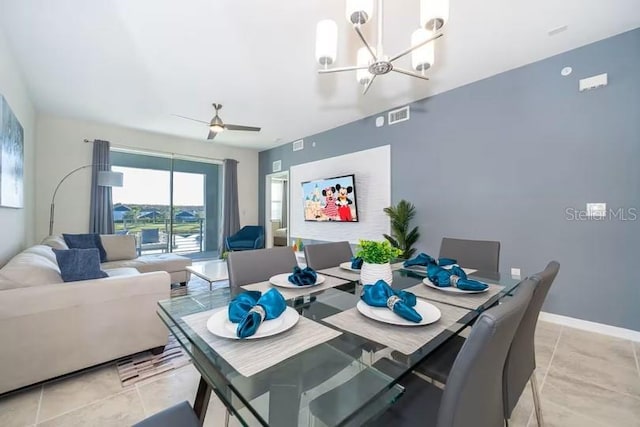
(135, 63)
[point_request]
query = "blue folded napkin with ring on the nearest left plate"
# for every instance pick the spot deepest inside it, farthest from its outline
(250, 308)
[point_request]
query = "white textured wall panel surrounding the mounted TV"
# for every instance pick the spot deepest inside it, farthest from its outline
(372, 170)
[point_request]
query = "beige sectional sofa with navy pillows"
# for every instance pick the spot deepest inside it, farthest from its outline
(50, 328)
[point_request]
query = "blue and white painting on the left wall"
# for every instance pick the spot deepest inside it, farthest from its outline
(11, 158)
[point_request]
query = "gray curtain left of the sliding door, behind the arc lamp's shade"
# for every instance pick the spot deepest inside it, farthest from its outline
(101, 208)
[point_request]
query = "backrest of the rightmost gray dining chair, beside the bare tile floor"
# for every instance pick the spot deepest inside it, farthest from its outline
(521, 360)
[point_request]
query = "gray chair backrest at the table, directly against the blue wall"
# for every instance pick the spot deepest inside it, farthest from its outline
(483, 255)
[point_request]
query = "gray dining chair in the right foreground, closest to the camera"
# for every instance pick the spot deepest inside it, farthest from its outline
(473, 394)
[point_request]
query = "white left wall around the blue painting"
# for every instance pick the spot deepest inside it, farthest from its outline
(16, 225)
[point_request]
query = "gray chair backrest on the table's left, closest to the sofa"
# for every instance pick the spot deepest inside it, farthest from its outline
(258, 265)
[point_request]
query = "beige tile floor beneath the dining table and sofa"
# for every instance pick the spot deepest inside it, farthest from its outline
(586, 380)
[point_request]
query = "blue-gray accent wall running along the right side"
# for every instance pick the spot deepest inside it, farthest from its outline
(509, 157)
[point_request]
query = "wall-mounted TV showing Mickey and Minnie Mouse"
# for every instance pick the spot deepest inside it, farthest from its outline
(331, 199)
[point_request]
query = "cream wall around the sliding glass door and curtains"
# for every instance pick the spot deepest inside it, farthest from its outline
(60, 149)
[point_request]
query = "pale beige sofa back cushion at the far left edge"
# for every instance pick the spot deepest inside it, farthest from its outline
(32, 267)
